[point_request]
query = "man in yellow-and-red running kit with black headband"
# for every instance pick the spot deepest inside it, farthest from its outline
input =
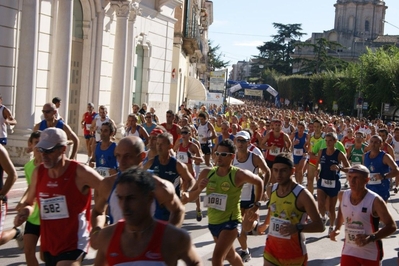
(290, 204)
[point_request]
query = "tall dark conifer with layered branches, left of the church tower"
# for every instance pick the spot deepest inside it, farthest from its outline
(276, 54)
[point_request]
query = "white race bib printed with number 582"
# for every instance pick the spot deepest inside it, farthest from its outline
(54, 208)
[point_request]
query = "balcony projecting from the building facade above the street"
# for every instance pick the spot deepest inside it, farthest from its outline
(191, 37)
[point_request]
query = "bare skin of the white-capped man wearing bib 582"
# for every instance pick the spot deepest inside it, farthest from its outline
(56, 164)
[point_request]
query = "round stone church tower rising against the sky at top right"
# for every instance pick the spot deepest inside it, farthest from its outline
(360, 18)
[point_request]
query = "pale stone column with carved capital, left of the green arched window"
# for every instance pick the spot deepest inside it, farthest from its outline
(118, 84)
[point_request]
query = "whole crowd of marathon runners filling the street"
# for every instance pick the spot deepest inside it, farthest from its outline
(251, 155)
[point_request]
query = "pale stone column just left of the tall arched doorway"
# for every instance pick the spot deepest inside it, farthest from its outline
(62, 55)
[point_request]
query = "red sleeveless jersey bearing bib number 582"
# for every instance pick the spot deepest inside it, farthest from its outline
(64, 212)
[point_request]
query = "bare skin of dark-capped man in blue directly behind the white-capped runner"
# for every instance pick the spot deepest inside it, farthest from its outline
(52, 121)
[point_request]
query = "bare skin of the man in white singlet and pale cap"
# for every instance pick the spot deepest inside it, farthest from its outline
(357, 184)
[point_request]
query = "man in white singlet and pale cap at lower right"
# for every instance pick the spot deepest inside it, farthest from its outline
(358, 209)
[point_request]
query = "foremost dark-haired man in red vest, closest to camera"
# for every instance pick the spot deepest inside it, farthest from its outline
(139, 239)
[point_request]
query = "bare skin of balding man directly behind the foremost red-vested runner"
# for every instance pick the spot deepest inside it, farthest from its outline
(164, 191)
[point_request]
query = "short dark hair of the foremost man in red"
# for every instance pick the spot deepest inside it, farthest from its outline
(140, 177)
